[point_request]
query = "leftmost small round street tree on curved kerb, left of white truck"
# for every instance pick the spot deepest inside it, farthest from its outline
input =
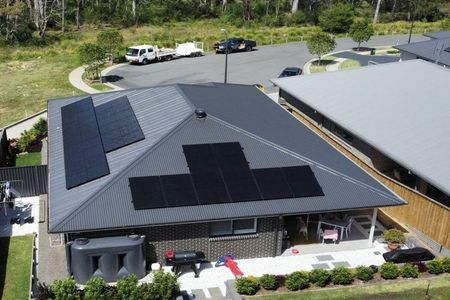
(93, 56)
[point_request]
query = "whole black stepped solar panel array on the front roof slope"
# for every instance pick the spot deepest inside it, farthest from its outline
(220, 173)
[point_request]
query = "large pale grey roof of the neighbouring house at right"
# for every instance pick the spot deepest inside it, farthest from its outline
(401, 109)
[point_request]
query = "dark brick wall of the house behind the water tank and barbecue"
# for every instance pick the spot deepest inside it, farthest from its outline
(264, 243)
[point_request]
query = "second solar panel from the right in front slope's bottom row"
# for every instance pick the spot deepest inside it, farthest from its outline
(272, 183)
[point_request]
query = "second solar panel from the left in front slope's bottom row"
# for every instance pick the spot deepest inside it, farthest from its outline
(178, 190)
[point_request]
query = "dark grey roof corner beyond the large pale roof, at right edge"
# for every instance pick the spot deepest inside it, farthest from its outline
(432, 50)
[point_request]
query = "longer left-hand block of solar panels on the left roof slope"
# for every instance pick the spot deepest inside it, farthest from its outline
(84, 157)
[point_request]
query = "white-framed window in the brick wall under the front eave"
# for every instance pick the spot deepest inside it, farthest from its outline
(232, 227)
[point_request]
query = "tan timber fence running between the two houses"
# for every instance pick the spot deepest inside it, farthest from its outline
(423, 213)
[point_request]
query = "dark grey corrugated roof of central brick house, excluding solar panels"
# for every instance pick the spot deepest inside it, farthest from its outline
(270, 137)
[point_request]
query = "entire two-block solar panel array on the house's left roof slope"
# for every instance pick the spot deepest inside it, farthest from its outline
(89, 132)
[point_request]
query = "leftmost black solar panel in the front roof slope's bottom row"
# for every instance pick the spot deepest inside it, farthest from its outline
(146, 192)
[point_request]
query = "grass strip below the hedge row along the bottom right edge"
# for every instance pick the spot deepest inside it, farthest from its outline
(405, 290)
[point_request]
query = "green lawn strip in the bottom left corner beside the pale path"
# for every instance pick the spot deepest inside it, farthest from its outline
(15, 264)
